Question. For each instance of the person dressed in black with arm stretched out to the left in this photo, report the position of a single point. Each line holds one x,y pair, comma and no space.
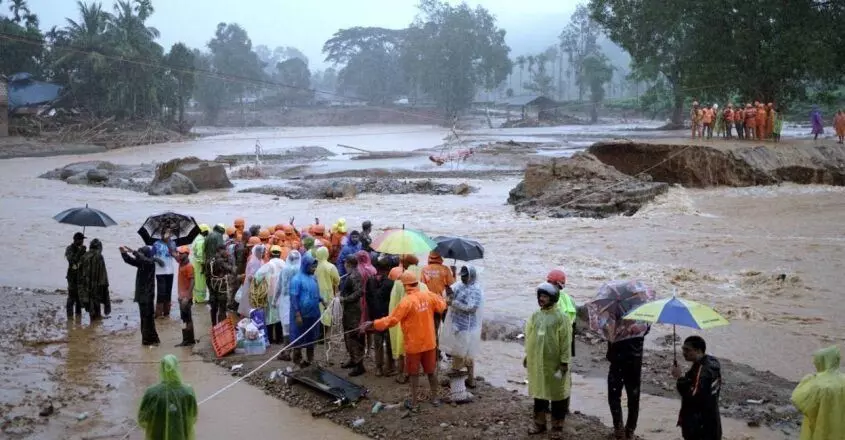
144,260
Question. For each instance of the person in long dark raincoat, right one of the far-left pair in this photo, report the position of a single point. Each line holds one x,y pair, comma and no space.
94,282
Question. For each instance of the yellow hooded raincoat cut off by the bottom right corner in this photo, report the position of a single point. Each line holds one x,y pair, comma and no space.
821,398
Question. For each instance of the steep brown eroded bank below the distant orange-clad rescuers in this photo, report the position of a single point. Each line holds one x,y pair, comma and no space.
704,166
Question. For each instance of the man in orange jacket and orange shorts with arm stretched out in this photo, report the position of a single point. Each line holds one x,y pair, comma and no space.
415,313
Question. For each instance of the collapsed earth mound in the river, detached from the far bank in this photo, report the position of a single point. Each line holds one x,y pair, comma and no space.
581,186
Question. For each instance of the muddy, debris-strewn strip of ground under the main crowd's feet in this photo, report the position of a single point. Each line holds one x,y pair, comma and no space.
496,412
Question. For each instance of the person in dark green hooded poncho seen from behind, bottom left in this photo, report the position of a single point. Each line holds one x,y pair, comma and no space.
168,410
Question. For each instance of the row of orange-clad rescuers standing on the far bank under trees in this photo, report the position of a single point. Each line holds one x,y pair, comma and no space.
757,121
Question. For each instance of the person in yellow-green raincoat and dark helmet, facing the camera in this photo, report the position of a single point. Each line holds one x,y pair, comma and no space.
548,336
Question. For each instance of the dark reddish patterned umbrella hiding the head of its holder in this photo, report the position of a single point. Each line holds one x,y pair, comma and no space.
612,302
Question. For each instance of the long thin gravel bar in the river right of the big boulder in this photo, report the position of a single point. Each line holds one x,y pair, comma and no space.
346,188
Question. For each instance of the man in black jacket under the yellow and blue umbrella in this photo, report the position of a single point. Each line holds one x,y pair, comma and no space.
699,388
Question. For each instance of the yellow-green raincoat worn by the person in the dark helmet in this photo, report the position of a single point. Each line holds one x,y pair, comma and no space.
548,341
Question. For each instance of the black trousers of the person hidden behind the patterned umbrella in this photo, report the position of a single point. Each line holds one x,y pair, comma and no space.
628,375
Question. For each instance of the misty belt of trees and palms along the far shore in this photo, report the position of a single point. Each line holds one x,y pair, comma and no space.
449,56
